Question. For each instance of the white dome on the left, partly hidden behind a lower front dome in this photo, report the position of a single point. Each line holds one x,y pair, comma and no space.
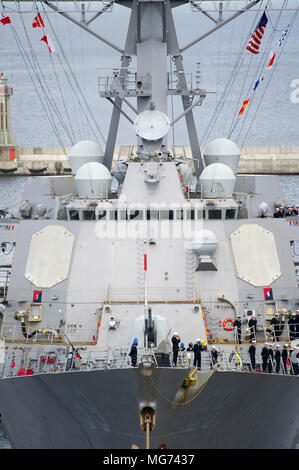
83,152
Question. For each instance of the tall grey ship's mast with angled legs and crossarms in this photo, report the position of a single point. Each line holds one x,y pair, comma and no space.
152,38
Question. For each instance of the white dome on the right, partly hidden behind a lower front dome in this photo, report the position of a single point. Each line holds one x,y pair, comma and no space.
222,151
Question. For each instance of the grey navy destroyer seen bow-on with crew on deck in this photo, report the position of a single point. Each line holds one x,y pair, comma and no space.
184,250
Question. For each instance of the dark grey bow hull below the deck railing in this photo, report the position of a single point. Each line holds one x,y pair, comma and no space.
100,409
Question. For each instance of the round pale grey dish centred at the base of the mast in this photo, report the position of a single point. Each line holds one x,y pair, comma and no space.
151,125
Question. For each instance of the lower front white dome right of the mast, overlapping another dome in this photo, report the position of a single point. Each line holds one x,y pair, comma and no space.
217,180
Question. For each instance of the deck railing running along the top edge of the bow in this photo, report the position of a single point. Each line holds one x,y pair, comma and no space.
82,359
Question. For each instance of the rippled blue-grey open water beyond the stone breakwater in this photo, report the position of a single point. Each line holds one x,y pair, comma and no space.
272,118
